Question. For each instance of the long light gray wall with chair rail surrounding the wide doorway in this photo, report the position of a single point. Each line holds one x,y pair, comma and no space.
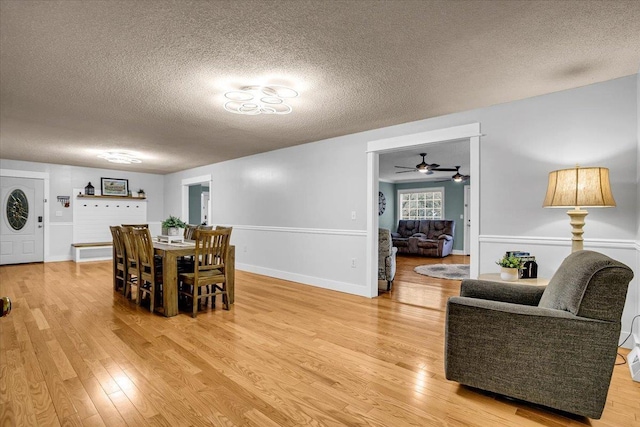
294,221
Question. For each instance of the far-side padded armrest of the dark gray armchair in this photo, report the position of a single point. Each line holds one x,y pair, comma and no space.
497,291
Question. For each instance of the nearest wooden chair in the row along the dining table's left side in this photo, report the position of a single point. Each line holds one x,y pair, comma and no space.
149,269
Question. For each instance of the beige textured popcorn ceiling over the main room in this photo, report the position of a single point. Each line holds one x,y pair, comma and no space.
80,77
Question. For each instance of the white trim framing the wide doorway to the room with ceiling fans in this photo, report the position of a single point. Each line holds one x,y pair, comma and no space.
375,148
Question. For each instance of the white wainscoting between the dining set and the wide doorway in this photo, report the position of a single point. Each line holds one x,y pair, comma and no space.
313,256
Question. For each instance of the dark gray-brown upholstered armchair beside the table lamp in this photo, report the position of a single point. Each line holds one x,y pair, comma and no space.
553,346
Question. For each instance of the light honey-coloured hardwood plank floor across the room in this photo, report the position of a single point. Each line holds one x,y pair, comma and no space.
73,352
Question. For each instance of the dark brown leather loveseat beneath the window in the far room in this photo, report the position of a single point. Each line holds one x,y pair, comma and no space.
428,237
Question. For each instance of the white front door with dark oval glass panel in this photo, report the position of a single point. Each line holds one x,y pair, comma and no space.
22,220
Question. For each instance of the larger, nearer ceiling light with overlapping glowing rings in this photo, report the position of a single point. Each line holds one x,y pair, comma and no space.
254,100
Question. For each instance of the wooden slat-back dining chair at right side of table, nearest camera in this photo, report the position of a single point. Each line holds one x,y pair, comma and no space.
209,278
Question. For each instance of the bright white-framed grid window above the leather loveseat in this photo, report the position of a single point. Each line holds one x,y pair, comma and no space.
424,203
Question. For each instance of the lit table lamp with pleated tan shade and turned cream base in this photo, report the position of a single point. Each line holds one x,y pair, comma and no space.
578,188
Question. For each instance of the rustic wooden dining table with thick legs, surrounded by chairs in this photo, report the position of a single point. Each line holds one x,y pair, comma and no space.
170,252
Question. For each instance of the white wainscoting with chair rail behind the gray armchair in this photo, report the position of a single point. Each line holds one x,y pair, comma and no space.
551,251
